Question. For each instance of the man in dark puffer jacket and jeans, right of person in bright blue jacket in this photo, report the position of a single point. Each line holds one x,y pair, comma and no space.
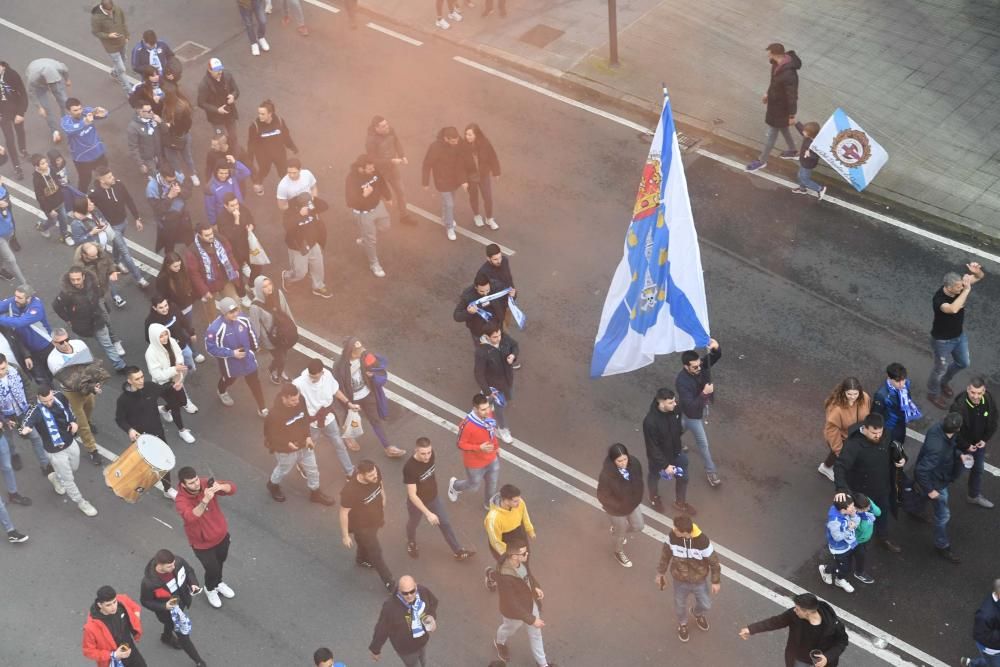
79,304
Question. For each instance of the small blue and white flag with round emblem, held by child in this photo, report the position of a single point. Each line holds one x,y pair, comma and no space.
851,151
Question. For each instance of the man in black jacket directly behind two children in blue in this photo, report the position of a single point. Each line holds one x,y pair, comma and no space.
865,465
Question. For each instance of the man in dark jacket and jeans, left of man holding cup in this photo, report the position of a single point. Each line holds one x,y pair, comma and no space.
939,463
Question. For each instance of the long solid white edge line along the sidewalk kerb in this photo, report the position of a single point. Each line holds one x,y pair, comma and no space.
875,215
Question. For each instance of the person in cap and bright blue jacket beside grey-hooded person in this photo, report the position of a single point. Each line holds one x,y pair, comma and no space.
230,339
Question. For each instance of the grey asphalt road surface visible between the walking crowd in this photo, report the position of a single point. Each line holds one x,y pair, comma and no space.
800,294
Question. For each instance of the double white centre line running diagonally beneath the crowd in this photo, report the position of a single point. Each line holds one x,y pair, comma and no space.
859,640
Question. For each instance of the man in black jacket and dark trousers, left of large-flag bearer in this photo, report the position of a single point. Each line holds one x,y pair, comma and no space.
662,429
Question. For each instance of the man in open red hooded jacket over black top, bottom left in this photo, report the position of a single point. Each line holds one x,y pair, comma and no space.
113,628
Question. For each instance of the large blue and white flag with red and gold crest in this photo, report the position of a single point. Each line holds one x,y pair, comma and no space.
656,302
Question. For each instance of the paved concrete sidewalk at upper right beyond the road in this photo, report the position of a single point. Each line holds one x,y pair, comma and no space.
923,76
